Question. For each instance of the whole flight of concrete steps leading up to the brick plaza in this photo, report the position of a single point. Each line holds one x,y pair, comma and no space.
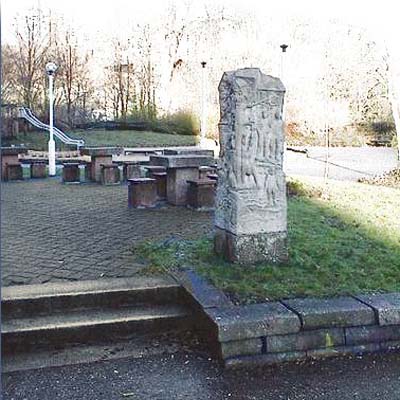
62,316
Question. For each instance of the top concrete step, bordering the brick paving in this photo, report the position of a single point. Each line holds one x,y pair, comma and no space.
35,300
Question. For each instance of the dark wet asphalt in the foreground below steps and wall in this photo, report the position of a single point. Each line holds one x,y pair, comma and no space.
193,375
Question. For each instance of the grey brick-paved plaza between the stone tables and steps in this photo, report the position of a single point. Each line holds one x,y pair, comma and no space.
54,232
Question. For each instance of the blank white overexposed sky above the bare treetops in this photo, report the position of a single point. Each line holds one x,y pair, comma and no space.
93,16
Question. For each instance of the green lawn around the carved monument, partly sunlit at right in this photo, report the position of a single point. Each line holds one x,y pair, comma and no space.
344,242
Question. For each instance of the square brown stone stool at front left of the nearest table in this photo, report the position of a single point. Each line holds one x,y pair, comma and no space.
142,193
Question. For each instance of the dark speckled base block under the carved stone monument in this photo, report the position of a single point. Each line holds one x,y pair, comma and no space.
251,249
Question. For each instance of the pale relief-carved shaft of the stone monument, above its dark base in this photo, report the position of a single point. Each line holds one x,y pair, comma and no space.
252,146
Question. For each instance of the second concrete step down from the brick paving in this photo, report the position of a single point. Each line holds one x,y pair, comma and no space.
91,326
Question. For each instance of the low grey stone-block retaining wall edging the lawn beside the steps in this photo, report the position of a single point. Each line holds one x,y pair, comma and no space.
295,329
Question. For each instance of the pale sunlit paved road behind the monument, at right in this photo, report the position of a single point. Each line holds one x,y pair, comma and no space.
345,163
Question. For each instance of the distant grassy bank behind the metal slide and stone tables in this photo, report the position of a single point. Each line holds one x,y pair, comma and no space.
38,140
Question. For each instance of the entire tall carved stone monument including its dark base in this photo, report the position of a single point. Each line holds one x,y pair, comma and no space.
251,207
